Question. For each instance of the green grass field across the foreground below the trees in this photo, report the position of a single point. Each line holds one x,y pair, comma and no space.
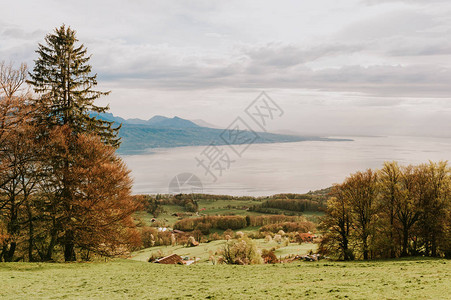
127,279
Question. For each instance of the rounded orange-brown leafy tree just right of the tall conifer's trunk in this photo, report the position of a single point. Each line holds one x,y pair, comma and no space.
102,202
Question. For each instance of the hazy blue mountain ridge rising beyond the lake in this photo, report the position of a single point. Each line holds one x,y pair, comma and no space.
138,136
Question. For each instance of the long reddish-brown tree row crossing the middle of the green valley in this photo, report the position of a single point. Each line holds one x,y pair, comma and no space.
206,223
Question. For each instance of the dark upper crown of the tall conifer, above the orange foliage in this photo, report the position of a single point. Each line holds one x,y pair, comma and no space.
62,77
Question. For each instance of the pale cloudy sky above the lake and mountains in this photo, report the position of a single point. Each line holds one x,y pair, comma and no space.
349,67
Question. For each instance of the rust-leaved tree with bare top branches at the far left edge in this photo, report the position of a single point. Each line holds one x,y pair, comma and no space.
19,151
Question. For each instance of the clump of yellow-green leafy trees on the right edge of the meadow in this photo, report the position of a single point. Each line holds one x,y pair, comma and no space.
396,211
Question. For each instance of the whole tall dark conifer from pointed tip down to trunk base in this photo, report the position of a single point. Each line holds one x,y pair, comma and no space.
63,80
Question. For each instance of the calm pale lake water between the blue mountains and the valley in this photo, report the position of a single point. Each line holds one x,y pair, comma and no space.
266,169
